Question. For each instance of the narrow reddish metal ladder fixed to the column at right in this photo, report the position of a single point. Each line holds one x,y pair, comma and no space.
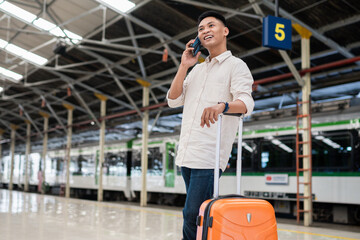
300,146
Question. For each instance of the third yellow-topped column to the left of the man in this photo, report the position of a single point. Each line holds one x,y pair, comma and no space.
70,109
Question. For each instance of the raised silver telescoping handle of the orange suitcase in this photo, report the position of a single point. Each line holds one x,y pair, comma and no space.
238,163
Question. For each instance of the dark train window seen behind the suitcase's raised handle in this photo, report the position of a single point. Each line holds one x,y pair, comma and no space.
248,149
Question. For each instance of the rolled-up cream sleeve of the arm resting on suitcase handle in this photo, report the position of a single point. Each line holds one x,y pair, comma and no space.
241,85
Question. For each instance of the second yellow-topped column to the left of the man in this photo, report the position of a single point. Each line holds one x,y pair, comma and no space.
102,143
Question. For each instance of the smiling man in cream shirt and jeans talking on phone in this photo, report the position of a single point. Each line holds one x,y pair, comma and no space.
223,83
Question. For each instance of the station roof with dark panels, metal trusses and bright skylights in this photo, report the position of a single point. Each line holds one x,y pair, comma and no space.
90,46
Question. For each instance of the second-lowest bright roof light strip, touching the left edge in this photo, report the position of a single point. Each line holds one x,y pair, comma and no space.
22,53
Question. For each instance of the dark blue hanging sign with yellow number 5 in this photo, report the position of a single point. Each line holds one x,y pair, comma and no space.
277,33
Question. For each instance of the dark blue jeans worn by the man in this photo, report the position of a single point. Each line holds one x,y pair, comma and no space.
199,185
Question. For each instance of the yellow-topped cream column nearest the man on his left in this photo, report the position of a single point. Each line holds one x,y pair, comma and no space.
145,136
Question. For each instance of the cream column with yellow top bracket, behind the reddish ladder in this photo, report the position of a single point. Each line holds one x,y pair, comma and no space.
306,130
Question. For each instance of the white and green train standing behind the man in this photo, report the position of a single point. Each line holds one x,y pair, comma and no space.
268,168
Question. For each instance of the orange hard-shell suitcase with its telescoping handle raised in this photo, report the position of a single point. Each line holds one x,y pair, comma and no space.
234,217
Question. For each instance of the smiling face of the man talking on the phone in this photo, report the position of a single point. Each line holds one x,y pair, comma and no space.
212,32
